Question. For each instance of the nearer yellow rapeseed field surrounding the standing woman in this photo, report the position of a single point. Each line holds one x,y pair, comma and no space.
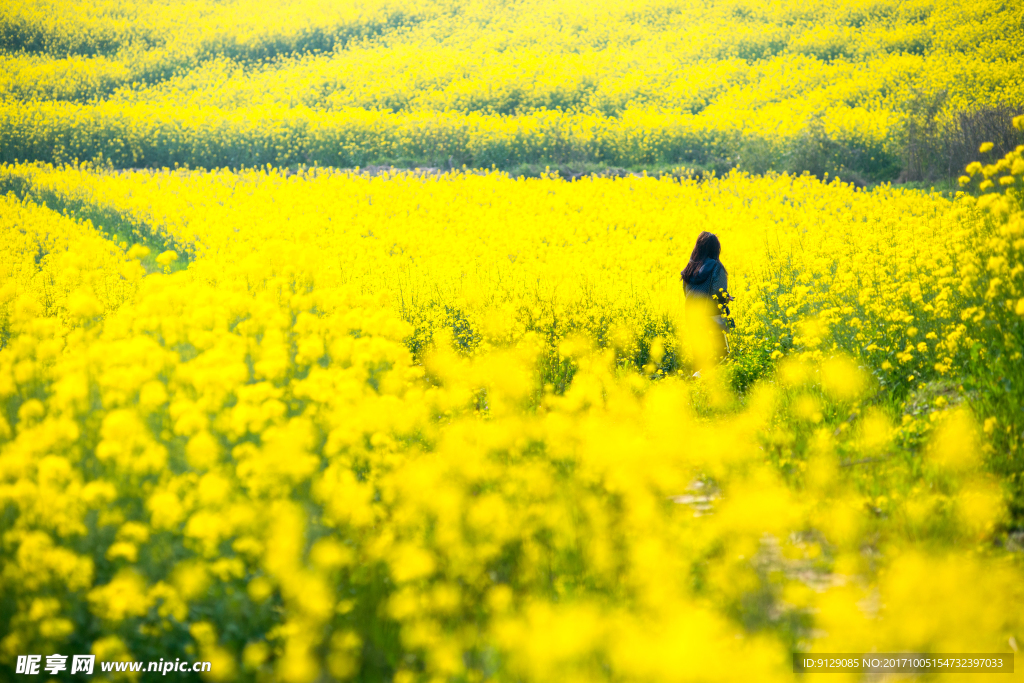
442,429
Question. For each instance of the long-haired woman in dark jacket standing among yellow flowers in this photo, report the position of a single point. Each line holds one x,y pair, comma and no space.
706,283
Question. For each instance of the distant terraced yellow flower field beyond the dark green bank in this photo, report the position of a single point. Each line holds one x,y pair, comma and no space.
870,91
